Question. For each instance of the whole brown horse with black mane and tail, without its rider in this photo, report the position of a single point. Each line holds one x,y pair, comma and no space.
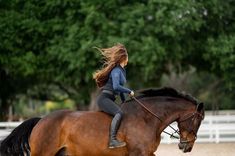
86,133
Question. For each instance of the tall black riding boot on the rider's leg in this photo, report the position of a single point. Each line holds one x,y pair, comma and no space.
113,142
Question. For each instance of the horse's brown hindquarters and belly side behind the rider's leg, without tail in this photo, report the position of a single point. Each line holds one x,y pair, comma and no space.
80,132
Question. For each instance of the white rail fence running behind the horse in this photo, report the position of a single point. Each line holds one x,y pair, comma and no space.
214,129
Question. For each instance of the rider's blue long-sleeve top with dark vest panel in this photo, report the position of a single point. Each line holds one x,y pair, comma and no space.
116,81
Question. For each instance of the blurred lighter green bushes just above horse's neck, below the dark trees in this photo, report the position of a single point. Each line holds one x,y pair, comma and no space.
207,87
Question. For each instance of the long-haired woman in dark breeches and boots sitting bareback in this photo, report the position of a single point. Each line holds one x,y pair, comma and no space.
111,79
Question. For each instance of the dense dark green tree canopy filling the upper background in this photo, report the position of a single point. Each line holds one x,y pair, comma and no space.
48,43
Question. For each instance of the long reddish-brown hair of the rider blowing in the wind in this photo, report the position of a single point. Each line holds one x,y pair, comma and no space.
112,57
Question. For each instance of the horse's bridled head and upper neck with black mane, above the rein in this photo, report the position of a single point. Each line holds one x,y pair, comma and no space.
170,105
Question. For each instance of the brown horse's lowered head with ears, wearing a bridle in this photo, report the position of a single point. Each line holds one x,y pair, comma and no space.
189,124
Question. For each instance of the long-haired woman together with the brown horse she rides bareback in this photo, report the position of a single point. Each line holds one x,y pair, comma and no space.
83,133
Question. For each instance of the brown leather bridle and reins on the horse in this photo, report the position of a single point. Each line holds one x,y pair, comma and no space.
193,115
